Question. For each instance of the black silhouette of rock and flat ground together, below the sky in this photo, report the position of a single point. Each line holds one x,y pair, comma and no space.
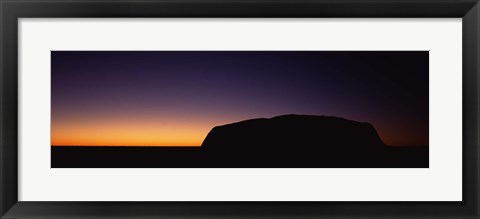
288,141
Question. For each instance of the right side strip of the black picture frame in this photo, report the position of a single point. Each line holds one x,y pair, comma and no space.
470,81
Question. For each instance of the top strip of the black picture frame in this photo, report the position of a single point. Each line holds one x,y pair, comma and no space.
240,8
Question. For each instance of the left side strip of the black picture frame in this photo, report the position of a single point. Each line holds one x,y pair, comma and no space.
8,111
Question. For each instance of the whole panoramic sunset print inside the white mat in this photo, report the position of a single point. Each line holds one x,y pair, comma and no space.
239,109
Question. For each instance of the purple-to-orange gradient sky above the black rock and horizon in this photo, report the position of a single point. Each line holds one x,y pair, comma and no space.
174,98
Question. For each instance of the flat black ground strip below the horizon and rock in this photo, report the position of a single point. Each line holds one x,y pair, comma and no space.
195,157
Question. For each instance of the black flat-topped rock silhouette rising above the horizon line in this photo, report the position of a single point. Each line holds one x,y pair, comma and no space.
298,131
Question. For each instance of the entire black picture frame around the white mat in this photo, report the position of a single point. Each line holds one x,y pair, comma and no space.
11,10
